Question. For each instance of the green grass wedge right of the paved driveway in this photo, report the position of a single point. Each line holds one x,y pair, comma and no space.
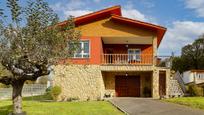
194,102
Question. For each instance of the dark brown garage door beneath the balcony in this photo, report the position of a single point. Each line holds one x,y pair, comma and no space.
127,86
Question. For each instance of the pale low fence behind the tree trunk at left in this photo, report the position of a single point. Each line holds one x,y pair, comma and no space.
28,90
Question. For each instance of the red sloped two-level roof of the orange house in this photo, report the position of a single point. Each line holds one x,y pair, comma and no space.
115,14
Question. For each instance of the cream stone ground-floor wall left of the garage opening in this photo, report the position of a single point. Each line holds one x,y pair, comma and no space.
83,82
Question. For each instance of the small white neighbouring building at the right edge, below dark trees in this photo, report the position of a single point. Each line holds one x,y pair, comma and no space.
194,77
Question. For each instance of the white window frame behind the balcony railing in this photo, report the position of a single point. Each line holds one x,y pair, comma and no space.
136,55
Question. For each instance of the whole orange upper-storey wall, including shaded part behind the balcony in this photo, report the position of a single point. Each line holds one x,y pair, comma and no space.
97,48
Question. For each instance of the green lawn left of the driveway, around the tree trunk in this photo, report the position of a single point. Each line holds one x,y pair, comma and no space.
61,108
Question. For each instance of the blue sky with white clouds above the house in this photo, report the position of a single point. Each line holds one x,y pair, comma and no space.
184,19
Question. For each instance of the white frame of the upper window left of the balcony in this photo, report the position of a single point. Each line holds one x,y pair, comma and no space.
82,49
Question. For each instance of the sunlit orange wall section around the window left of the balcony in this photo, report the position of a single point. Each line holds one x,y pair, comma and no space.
96,50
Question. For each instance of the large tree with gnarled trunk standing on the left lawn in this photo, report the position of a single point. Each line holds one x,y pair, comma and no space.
31,42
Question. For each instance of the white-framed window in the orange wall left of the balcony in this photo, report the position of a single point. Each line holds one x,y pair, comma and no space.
83,51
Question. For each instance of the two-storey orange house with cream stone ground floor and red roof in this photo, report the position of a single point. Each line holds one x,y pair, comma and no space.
118,58
